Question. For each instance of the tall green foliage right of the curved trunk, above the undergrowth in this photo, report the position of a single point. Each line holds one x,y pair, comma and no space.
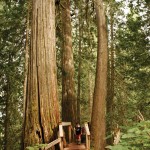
132,63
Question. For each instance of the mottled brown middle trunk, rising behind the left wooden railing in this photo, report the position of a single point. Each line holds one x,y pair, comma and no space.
68,86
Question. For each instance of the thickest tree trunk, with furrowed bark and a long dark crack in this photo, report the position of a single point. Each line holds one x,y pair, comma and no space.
41,105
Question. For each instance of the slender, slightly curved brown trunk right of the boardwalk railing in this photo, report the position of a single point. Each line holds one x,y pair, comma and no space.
99,108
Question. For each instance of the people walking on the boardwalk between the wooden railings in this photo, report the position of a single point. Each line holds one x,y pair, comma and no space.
79,134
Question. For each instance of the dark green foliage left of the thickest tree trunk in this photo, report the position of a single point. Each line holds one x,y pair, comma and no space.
11,74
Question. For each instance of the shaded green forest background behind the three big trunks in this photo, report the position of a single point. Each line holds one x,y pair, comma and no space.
128,90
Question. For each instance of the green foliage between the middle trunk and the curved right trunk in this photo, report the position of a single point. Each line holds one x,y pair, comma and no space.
85,32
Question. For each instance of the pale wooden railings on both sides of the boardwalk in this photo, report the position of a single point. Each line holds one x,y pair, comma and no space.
61,137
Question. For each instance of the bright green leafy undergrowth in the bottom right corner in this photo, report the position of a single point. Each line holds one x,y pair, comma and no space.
136,137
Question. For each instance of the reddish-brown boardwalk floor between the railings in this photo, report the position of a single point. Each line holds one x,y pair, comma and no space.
74,146
